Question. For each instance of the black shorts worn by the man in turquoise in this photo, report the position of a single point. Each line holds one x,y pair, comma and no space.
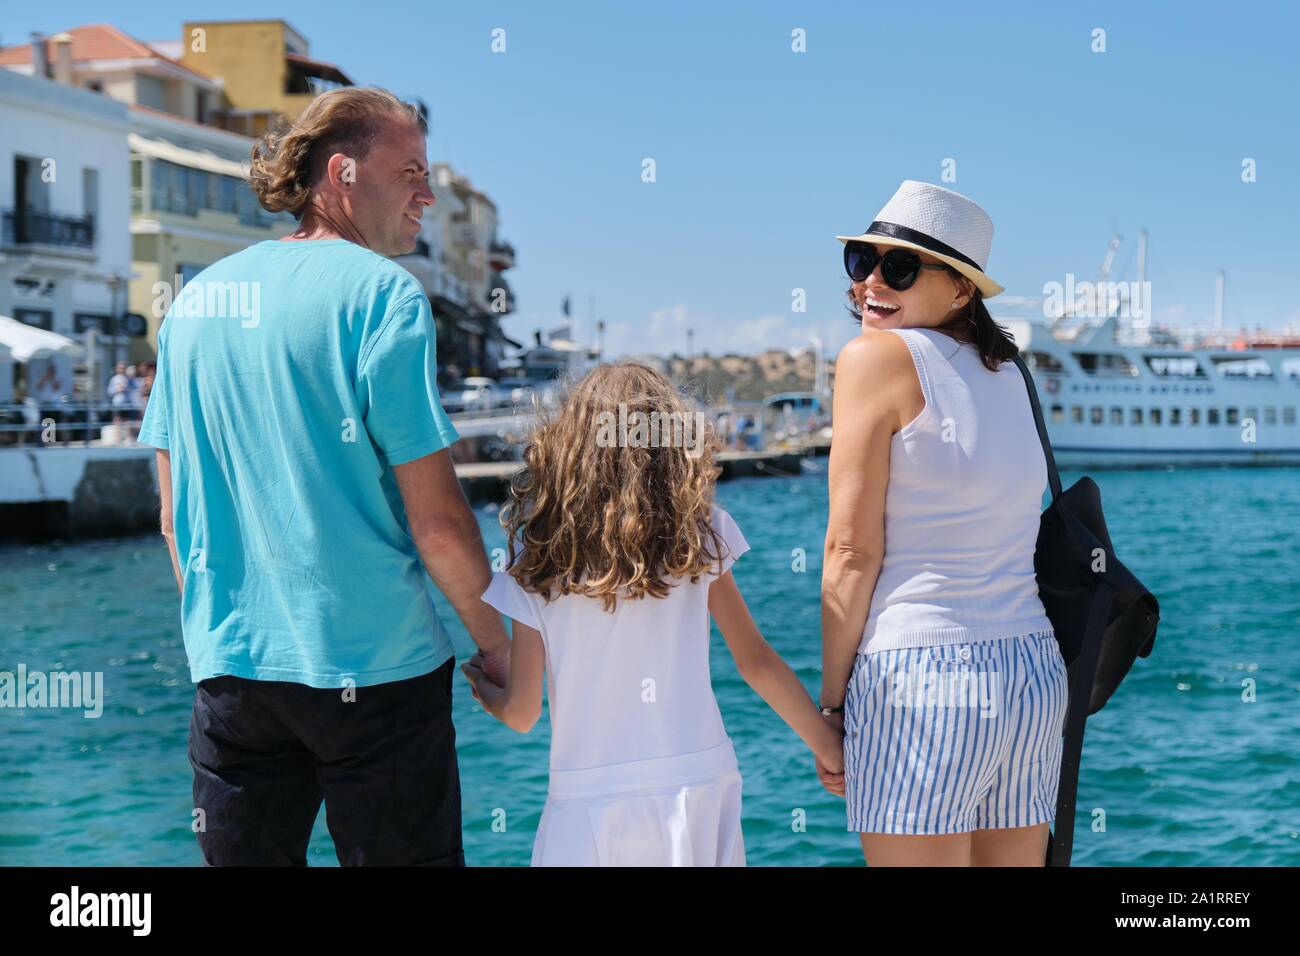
266,754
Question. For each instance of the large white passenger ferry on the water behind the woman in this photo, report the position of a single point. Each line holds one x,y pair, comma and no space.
1124,397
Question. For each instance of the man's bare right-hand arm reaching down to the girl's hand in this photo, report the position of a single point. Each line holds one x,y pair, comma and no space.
452,548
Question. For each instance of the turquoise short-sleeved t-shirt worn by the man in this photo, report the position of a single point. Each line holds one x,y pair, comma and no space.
292,378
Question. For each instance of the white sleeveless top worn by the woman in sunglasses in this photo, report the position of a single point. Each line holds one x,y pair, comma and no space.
967,482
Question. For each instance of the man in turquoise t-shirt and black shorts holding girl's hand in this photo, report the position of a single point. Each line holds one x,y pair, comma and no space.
306,488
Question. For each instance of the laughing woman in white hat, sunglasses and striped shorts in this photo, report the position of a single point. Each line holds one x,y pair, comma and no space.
939,661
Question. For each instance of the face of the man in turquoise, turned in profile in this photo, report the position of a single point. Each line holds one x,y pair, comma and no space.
392,191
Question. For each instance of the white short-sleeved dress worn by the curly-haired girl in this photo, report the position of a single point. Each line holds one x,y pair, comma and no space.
643,772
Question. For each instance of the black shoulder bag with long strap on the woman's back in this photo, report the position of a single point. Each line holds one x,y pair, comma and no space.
1103,616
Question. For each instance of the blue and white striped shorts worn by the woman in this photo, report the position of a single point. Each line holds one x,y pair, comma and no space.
955,738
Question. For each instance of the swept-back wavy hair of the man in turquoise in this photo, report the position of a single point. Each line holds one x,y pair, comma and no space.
288,162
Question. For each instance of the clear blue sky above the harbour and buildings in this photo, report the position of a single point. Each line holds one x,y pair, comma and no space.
764,155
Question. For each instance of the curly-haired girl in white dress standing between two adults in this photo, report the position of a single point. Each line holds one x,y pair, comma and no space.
625,557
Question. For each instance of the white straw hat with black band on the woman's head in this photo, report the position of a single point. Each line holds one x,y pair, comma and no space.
937,220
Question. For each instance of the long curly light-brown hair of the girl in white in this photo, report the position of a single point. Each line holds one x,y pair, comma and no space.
613,521
